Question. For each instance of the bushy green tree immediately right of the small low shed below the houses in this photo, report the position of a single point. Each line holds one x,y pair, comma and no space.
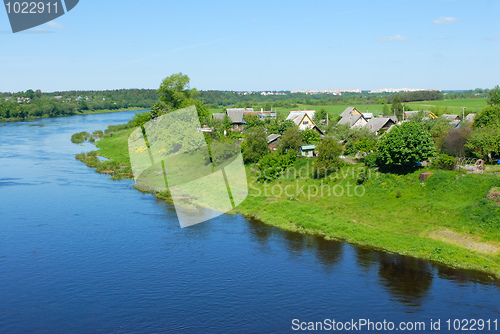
328,159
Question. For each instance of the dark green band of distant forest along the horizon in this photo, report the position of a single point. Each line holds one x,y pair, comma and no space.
35,104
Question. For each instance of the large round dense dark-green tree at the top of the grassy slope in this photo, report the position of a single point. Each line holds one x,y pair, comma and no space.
405,145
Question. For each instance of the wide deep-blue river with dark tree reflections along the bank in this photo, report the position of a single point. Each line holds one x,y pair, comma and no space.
80,253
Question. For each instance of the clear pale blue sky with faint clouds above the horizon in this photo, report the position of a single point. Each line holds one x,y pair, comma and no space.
258,45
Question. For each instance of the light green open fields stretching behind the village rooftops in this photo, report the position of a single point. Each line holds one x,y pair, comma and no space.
442,107
